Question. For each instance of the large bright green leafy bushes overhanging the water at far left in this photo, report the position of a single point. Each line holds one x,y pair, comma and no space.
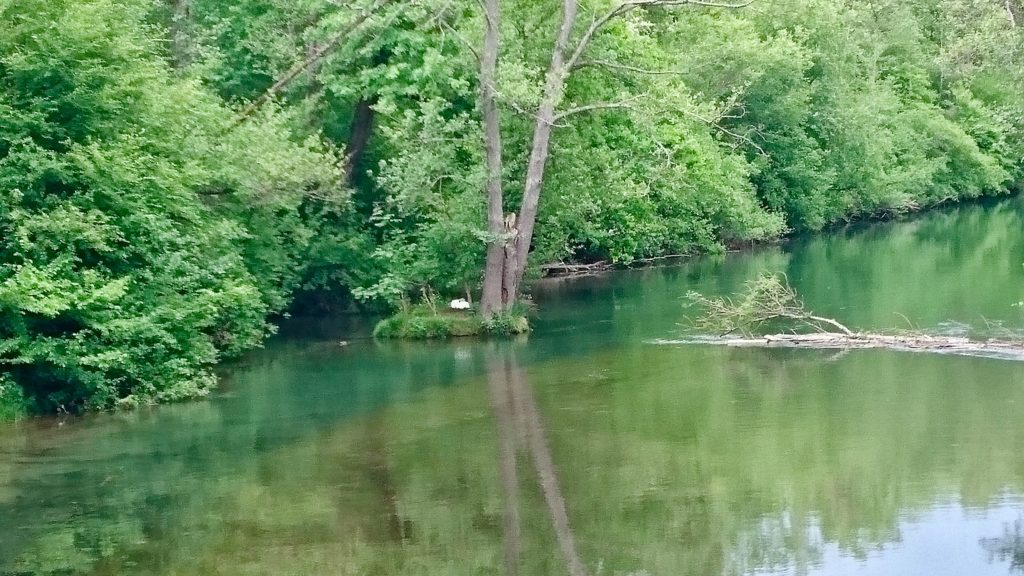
144,238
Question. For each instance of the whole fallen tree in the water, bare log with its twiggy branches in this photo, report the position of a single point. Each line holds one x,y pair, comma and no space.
771,304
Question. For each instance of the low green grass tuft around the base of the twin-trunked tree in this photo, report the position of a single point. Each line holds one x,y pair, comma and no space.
424,322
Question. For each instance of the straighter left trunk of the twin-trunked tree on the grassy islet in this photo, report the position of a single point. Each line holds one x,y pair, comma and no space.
495,298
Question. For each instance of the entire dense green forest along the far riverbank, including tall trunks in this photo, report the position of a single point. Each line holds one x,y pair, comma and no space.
176,174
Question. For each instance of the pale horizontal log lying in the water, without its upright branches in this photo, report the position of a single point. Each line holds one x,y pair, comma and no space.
860,341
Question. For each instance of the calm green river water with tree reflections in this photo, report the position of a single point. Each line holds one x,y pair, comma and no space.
594,446
